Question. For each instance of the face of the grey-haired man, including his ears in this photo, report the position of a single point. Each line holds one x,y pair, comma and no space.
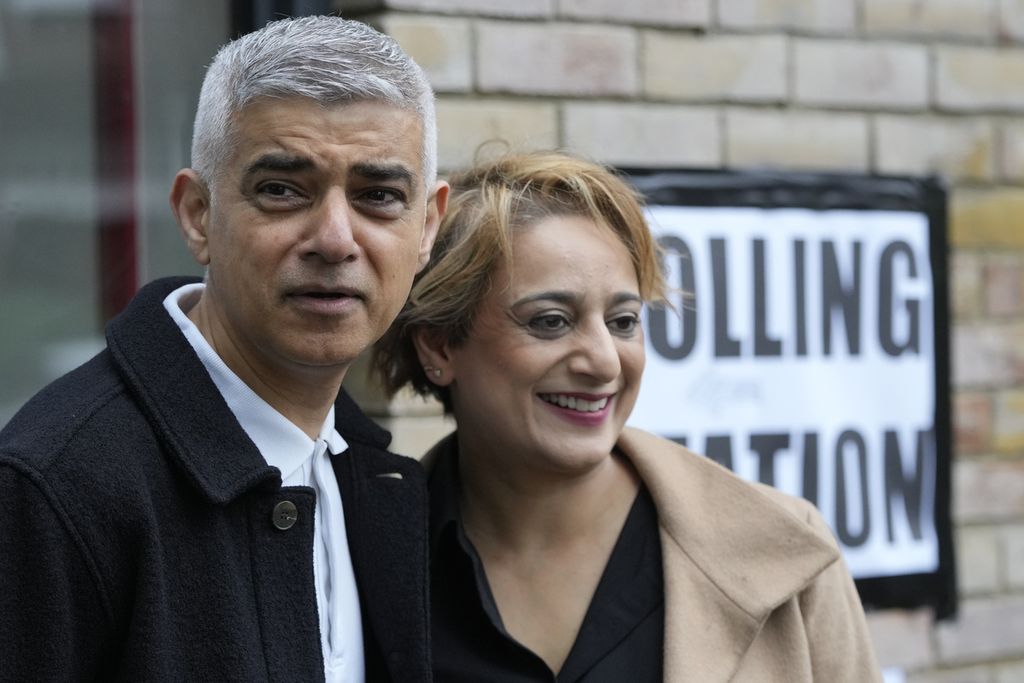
312,235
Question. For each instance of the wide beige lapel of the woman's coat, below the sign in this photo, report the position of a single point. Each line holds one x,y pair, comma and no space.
731,553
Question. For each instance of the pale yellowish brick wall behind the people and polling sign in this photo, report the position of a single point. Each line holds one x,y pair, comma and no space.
877,87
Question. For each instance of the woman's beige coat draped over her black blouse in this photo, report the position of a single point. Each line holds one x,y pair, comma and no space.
755,588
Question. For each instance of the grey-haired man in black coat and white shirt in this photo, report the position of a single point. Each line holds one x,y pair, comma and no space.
202,501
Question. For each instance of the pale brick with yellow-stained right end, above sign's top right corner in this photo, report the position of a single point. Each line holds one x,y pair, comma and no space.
959,149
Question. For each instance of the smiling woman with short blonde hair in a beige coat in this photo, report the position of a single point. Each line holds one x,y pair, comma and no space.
567,546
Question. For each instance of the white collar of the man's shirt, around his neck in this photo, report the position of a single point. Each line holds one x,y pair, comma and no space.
281,443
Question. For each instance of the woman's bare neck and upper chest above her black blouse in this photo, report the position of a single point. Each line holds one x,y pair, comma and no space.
545,541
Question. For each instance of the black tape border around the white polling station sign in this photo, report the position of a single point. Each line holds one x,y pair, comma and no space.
870,193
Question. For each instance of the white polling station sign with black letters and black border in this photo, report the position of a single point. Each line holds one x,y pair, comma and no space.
808,351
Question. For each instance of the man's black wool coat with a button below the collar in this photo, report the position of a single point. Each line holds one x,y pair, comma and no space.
138,540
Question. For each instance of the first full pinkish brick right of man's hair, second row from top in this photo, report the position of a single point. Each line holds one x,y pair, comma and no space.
557,59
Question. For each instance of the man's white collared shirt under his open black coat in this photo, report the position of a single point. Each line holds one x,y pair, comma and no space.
304,462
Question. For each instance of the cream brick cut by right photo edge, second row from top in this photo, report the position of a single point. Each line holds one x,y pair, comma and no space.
979,79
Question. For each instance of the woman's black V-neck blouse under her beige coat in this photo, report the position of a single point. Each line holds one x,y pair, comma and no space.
622,634
